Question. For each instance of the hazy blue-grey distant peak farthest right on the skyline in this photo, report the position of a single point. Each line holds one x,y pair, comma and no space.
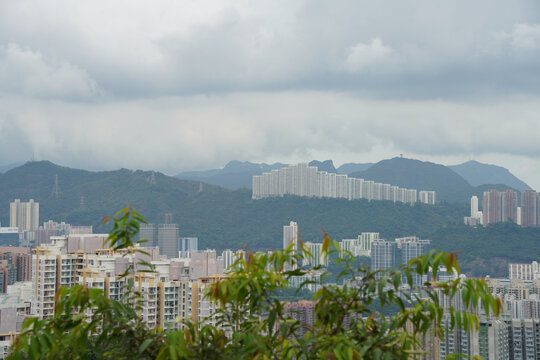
477,173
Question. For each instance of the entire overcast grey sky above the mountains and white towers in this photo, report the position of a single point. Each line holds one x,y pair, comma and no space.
174,85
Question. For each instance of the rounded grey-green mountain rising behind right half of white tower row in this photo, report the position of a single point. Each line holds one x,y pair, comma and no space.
420,175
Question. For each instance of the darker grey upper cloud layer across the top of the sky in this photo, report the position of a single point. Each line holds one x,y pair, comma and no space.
173,47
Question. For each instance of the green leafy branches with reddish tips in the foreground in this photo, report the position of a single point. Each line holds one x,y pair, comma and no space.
251,320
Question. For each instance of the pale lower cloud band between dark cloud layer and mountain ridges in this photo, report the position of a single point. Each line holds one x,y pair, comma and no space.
181,133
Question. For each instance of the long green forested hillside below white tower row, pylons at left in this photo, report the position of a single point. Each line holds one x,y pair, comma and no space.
220,218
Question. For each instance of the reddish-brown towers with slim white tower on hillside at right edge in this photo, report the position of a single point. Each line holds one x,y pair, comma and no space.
502,206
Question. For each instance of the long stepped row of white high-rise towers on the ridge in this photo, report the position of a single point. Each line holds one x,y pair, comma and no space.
304,180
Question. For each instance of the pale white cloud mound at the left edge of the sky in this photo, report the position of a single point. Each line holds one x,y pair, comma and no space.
31,73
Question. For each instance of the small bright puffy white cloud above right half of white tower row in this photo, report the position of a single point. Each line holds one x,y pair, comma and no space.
363,55
